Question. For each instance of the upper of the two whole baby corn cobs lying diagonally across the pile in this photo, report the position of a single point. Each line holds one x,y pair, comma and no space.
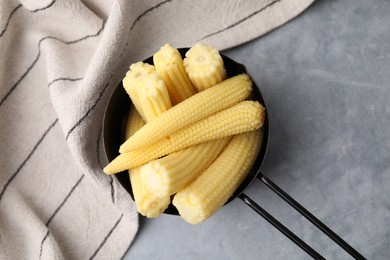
194,108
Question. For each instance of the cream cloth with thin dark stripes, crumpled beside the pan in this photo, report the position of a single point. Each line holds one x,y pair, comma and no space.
59,60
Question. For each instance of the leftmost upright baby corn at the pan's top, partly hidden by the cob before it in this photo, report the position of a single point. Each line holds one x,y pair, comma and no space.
130,82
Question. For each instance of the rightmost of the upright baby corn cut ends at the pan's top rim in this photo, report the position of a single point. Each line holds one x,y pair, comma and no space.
204,66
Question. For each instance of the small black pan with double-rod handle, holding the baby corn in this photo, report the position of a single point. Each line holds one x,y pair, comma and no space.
114,125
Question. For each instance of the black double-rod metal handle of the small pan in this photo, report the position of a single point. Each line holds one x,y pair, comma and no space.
304,212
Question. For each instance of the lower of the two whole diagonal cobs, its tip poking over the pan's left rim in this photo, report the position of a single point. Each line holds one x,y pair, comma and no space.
242,117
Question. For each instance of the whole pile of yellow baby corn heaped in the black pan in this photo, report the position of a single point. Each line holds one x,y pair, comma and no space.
192,134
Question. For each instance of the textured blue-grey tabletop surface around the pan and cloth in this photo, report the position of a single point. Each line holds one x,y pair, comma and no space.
325,76
